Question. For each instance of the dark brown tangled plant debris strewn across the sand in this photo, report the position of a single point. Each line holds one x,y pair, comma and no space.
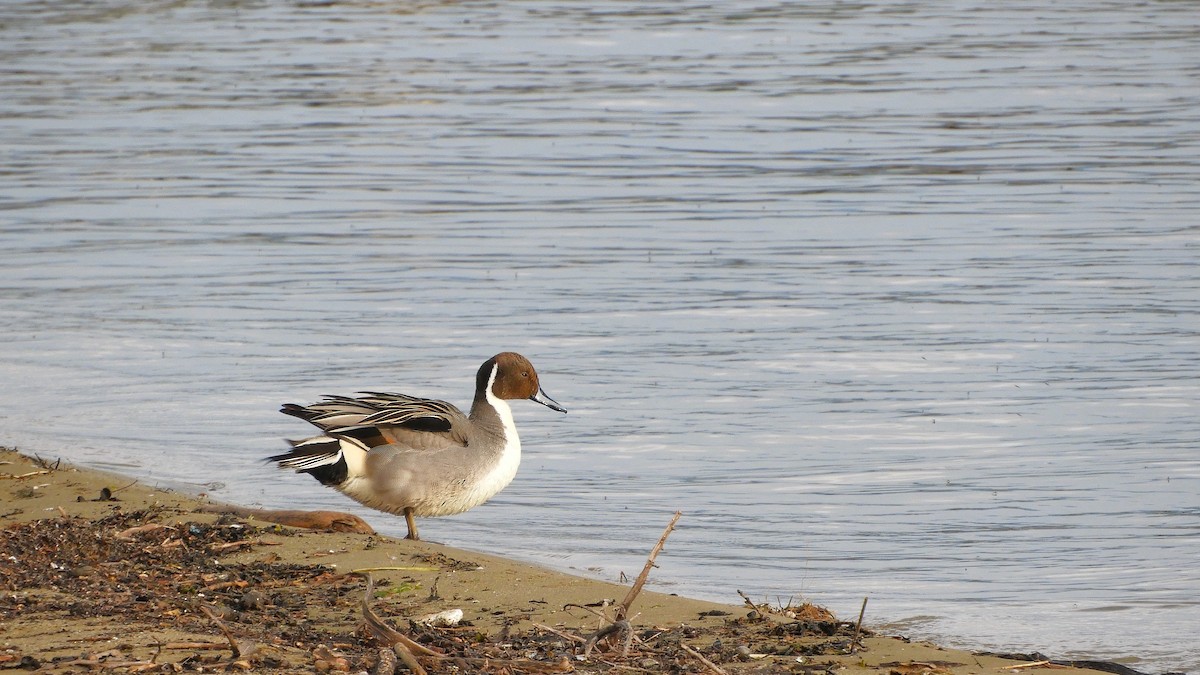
134,572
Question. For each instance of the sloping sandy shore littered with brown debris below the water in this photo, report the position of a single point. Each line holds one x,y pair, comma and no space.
100,572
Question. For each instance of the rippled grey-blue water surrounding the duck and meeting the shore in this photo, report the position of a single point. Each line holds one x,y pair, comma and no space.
891,300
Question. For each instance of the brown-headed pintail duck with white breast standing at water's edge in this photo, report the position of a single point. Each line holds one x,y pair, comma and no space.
419,457
